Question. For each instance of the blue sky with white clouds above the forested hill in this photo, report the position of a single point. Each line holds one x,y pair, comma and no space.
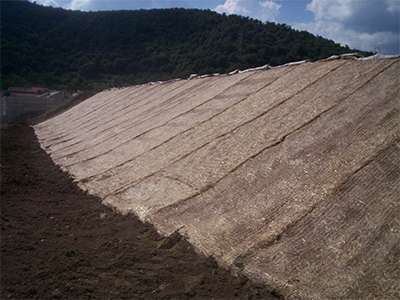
370,25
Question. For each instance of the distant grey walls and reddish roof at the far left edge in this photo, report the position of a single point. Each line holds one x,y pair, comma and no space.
17,102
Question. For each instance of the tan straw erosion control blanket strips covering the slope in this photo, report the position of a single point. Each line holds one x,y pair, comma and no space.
288,175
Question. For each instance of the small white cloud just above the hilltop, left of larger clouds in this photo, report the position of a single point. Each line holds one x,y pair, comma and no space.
261,10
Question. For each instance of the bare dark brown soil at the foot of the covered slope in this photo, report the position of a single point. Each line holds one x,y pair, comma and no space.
58,242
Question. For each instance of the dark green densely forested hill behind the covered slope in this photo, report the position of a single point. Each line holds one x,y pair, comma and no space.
73,50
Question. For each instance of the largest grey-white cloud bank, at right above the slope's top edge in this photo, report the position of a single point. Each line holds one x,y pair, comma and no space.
364,25
